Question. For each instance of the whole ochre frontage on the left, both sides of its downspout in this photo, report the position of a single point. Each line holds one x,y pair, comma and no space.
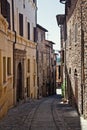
18,66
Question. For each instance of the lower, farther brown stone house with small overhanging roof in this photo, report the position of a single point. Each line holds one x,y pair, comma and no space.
51,68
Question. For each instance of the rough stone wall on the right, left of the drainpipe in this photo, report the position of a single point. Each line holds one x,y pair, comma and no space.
73,55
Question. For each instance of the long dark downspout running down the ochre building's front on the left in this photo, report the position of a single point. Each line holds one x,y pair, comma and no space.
13,50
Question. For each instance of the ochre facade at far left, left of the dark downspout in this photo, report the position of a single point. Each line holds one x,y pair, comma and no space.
6,63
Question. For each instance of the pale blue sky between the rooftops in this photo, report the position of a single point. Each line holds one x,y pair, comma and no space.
46,17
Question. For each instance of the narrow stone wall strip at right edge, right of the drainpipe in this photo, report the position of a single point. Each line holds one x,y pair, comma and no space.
84,28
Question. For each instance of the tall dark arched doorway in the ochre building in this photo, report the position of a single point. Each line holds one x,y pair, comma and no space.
19,82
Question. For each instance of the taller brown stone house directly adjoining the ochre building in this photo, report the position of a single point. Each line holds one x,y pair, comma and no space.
41,61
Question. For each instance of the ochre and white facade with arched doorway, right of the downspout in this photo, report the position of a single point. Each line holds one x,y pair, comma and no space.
25,66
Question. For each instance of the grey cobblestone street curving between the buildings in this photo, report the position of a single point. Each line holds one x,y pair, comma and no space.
43,114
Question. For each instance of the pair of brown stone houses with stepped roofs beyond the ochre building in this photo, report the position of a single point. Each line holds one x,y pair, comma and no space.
45,63
